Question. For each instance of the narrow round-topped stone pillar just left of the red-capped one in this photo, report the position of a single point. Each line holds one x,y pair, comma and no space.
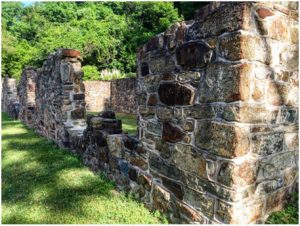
26,93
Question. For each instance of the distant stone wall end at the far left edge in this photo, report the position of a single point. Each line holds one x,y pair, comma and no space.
9,98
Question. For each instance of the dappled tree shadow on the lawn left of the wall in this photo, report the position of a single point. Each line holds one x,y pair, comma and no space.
40,168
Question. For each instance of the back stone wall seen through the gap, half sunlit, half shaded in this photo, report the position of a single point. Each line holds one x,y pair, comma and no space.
118,95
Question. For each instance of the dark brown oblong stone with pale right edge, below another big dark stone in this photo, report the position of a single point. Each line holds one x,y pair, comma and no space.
176,94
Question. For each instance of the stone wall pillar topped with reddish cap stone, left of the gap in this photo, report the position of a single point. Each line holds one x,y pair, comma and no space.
60,99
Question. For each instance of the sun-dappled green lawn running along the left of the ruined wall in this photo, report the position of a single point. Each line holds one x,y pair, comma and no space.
44,184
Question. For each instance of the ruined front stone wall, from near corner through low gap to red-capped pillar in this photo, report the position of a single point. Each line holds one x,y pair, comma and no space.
218,115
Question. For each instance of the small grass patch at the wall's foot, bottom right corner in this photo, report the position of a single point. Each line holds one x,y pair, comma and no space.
289,215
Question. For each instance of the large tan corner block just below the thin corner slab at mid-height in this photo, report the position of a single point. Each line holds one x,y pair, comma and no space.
226,140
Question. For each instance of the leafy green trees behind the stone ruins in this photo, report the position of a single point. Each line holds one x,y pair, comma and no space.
107,33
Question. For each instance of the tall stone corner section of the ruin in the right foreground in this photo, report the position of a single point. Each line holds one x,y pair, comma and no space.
218,112
